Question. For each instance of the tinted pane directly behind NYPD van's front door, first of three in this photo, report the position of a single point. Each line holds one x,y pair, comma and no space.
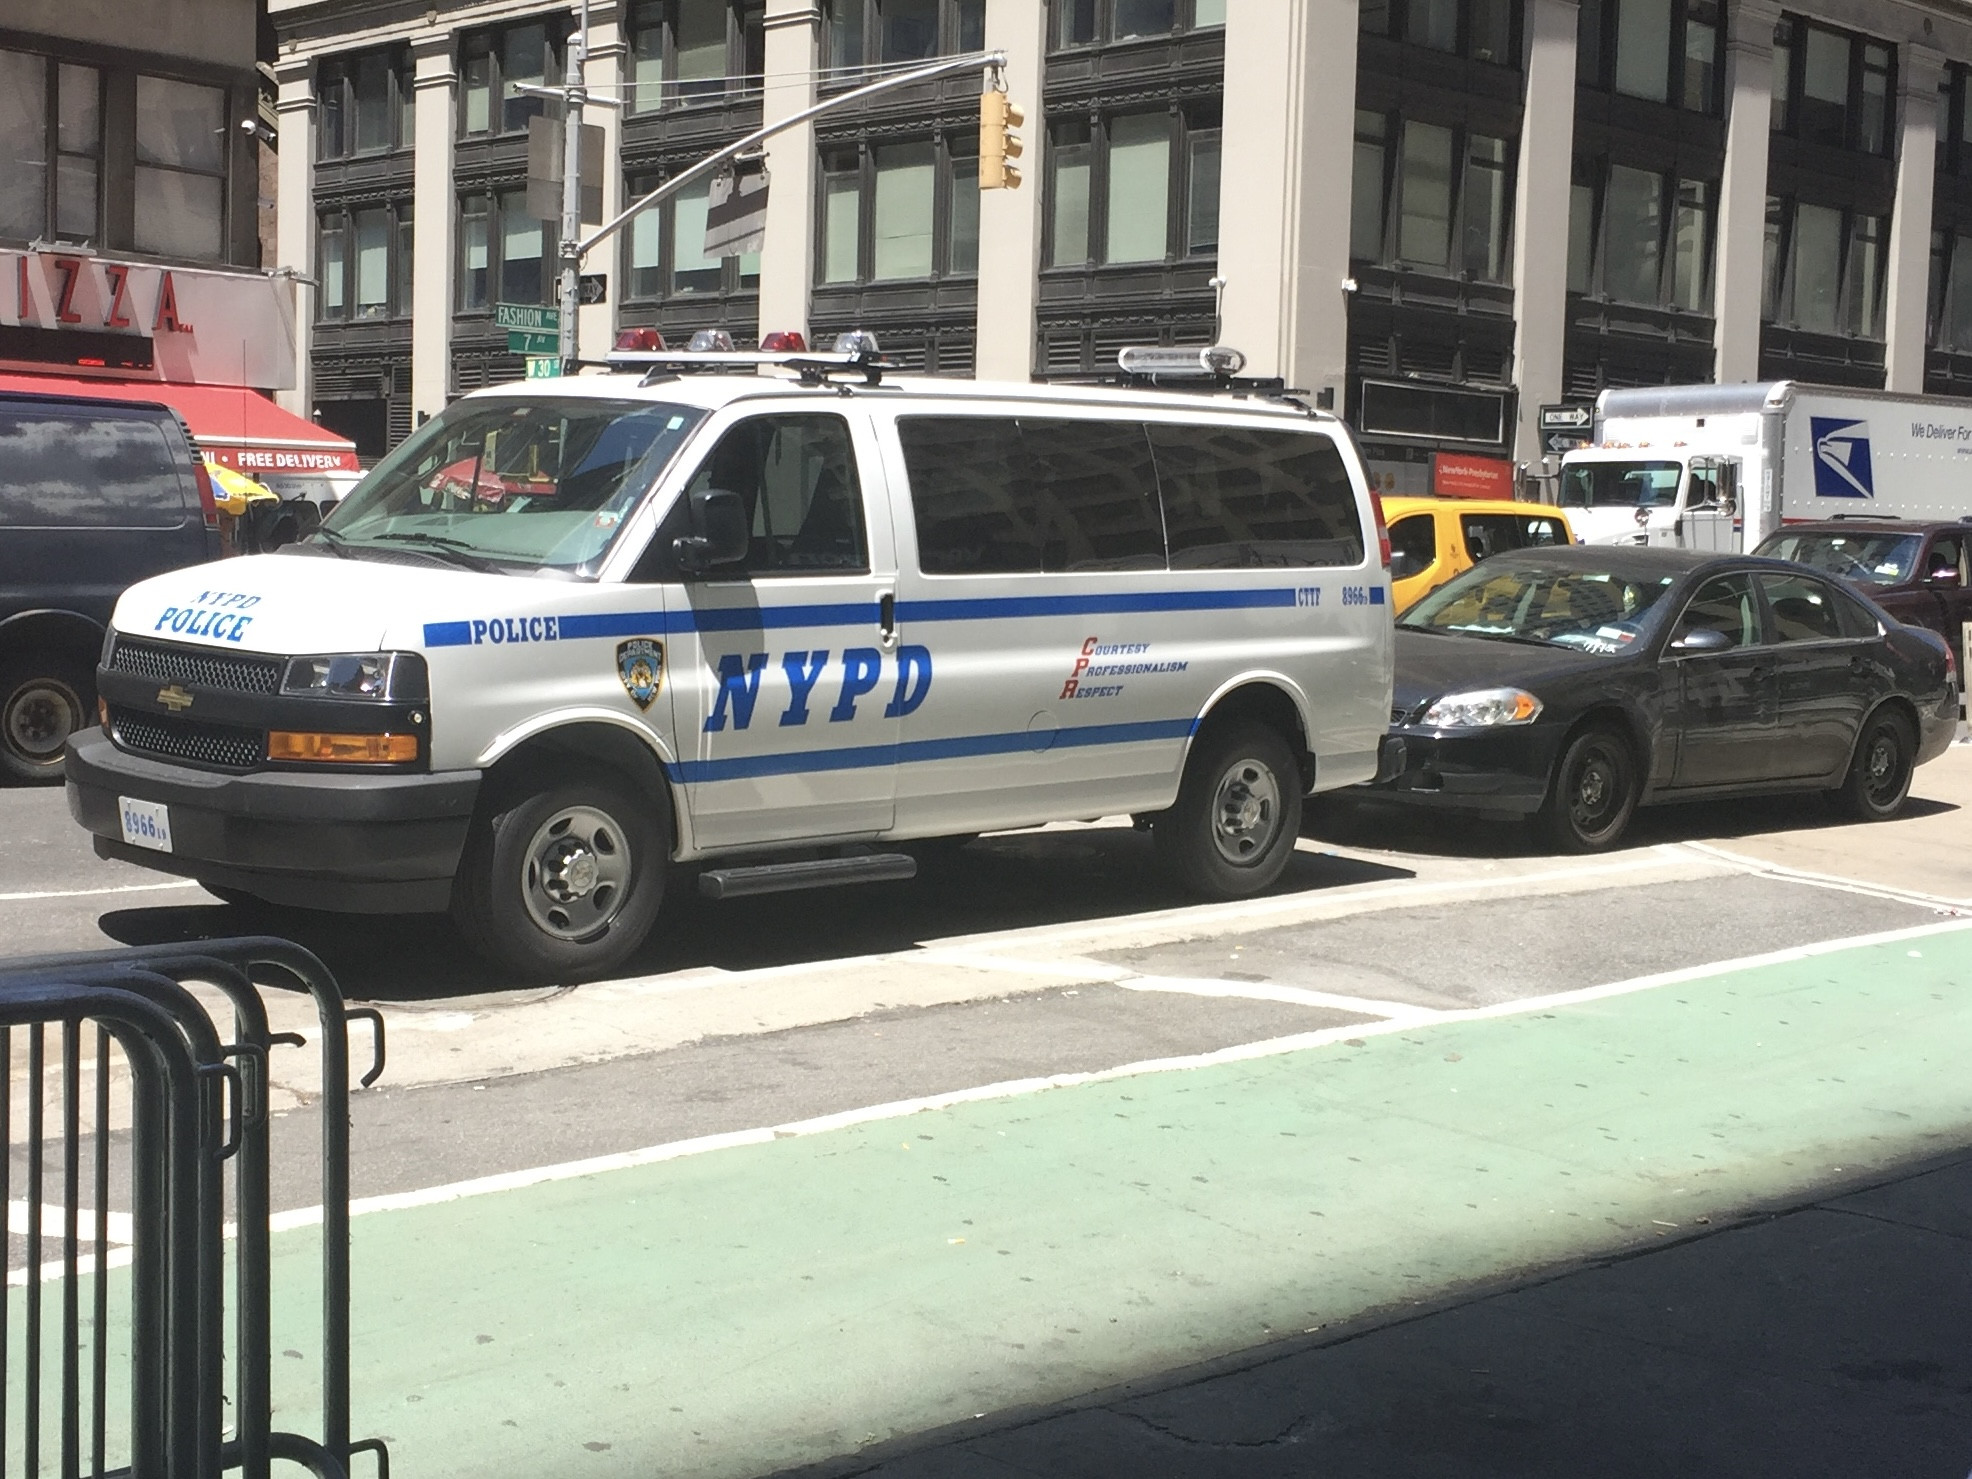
971,496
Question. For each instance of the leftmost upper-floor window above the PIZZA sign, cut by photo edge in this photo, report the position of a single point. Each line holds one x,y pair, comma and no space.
52,139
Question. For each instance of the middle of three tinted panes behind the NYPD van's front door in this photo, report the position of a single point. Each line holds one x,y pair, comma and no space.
1097,492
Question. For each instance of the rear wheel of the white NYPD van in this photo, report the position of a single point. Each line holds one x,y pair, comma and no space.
1237,813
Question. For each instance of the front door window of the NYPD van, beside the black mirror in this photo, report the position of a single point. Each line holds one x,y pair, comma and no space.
798,480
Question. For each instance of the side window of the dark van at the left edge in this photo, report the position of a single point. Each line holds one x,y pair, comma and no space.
62,472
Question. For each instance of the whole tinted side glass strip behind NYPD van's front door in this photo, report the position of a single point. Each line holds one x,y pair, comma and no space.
1024,496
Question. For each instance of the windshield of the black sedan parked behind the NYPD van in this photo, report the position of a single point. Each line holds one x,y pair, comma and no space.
1586,610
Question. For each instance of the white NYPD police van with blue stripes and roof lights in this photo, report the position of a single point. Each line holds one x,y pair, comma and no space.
764,622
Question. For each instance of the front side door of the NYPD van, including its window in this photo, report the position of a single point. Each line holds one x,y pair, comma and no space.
788,662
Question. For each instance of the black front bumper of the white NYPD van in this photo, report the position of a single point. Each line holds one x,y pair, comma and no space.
346,843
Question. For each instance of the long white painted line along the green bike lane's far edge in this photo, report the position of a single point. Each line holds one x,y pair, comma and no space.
1021,1088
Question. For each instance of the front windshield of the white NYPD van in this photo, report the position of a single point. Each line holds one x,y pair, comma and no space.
541,486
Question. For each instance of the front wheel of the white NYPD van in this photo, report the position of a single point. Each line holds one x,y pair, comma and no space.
563,882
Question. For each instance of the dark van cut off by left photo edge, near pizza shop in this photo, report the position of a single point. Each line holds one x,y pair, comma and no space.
94,496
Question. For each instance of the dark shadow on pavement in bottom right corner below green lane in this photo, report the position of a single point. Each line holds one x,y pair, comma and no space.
1821,1340
